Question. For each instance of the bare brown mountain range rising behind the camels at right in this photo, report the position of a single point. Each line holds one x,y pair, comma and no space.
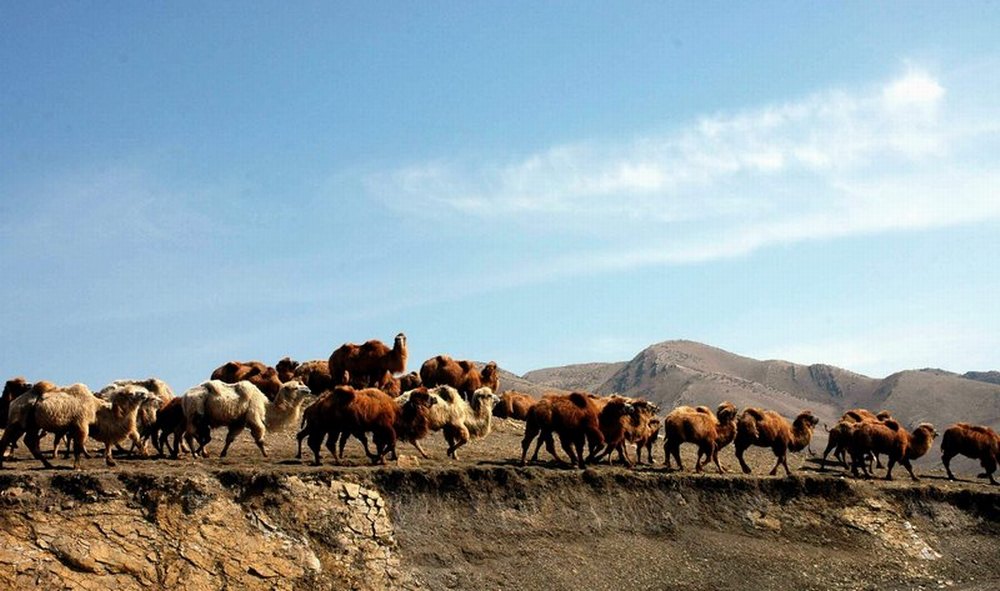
685,372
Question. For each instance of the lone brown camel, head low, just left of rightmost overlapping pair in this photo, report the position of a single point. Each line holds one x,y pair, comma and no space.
766,428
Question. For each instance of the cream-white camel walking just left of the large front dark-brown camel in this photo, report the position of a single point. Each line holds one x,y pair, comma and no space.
237,406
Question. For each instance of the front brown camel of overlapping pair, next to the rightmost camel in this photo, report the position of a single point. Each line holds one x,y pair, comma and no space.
890,438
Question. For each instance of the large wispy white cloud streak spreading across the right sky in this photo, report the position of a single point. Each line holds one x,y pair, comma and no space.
887,157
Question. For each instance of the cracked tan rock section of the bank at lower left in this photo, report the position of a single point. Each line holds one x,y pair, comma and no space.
234,530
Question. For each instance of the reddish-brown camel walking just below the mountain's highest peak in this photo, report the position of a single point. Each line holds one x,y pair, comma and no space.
709,431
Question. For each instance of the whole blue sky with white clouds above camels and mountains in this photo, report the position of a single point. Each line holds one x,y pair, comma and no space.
535,183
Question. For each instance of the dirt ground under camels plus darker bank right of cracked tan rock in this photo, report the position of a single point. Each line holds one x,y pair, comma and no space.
485,522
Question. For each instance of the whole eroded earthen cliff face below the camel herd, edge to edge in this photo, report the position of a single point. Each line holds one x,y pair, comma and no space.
490,527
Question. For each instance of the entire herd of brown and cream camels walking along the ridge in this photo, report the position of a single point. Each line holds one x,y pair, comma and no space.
364,390
